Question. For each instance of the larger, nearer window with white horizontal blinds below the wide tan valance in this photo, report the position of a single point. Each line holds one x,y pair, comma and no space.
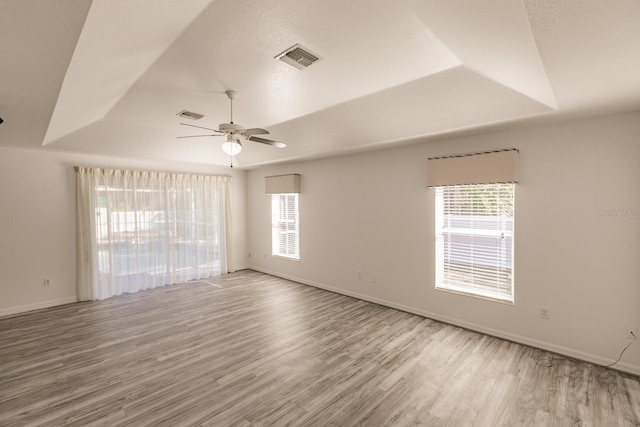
474,240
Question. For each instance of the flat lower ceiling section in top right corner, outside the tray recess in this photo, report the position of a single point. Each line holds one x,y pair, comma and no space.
591,51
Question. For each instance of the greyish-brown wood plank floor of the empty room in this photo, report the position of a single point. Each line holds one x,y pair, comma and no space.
251,349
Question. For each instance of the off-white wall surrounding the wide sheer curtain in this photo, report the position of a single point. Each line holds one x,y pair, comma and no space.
38,222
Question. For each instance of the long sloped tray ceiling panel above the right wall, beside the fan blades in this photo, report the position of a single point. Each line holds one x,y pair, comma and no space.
434,105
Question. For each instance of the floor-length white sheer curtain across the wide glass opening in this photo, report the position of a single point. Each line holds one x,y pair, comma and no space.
140,230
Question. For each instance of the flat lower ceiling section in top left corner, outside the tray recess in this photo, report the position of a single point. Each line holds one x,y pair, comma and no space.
37,41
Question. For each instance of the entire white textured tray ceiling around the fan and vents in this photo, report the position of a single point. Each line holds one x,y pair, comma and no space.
109,76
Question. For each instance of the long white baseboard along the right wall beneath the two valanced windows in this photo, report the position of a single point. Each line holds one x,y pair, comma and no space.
576,354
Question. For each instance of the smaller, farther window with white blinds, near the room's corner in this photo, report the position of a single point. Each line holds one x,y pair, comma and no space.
284,225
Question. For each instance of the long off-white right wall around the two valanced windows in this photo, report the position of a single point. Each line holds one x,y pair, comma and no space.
373,213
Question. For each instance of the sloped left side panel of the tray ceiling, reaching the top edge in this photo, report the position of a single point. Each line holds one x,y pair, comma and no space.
119,41
